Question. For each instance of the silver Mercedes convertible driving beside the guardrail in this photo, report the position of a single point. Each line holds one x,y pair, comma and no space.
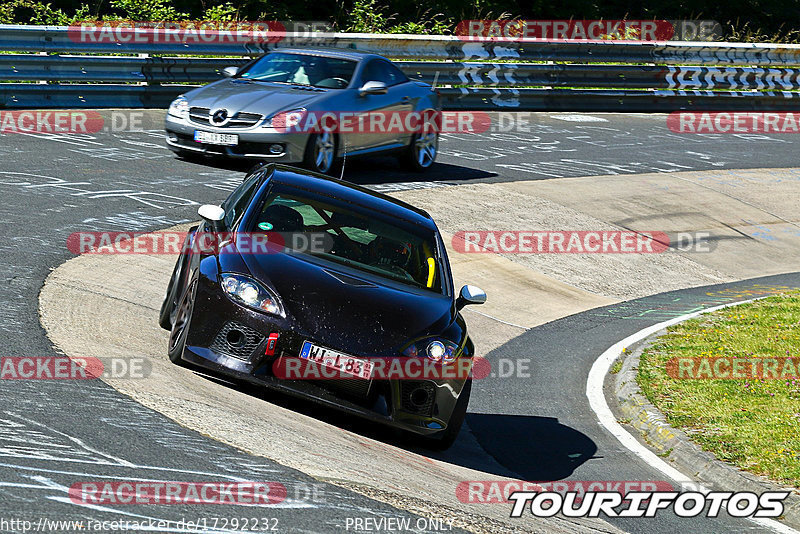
310,107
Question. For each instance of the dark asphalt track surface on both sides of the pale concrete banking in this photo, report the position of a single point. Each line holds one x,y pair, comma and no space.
56,432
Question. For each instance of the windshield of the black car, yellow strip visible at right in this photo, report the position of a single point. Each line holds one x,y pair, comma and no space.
313,226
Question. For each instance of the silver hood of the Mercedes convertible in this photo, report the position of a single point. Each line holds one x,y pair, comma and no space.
252,97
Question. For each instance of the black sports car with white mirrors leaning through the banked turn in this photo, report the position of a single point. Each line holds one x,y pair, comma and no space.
296,267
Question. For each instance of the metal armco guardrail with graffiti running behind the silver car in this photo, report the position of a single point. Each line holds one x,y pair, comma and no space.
531,75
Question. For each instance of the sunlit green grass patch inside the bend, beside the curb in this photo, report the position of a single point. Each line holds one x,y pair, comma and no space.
752,424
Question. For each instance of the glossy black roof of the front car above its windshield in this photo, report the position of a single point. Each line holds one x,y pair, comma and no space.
311,181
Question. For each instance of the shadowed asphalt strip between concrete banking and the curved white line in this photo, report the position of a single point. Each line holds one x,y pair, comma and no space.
508,411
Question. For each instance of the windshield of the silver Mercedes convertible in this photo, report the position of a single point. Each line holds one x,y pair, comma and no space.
301,69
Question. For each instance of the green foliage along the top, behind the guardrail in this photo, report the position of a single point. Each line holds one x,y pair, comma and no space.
769,20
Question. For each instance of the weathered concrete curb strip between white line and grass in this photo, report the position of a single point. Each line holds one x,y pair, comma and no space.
676,447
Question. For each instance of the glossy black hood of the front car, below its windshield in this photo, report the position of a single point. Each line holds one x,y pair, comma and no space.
350,313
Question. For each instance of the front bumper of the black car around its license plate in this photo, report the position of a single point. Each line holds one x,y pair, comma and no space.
230,339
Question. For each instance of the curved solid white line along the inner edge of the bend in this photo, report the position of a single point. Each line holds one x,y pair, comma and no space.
597,400
